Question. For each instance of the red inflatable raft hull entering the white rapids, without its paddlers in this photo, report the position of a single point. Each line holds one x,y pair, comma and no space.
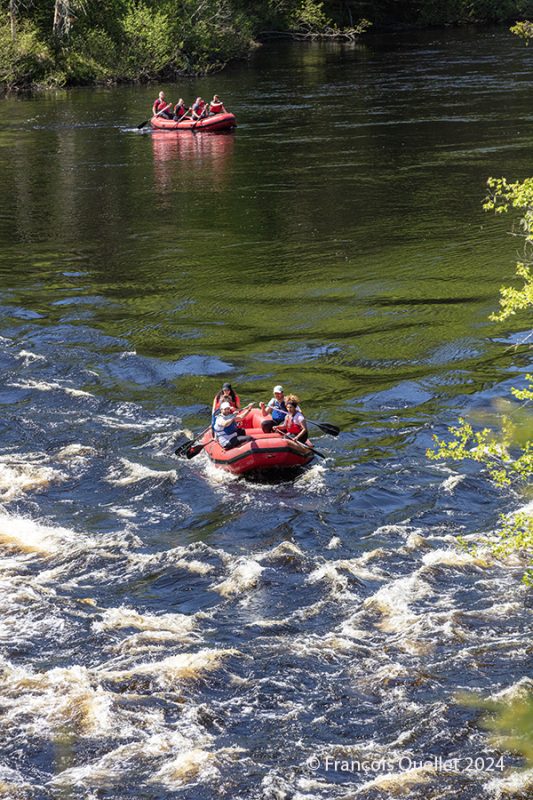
267,452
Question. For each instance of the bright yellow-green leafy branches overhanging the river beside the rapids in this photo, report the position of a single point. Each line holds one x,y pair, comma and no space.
506,453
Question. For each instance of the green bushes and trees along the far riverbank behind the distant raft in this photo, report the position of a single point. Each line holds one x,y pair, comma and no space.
47,43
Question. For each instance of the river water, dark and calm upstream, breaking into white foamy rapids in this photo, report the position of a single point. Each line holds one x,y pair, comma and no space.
167,629
